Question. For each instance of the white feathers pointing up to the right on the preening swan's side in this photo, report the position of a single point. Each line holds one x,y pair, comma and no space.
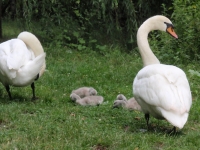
32,68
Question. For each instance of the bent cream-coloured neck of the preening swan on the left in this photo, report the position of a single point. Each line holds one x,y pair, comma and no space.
31,42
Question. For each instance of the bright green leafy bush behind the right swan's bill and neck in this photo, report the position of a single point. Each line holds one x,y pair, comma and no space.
186,18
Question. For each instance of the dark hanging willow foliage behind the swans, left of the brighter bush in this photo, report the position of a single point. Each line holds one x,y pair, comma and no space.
79,24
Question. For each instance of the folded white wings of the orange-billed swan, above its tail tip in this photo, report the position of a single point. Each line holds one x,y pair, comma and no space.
165,87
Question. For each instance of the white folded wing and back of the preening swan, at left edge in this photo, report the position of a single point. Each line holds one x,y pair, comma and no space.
13,55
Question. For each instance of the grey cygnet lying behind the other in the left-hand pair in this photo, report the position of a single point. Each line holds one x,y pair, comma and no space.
85,91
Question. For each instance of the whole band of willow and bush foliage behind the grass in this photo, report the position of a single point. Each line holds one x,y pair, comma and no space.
94,24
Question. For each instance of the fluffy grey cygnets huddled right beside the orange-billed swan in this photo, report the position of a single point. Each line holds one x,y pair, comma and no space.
130,104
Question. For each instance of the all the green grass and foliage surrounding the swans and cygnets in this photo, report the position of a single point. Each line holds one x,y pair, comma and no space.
93,43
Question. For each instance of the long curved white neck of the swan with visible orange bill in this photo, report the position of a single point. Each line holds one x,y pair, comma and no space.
146,53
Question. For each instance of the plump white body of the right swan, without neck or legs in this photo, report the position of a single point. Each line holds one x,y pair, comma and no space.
164,92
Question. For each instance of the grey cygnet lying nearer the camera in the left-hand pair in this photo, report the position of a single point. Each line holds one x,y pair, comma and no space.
88,100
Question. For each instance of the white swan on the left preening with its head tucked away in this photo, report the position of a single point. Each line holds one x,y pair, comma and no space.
22,61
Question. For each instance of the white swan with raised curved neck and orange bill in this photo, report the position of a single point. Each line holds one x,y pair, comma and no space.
161,90
